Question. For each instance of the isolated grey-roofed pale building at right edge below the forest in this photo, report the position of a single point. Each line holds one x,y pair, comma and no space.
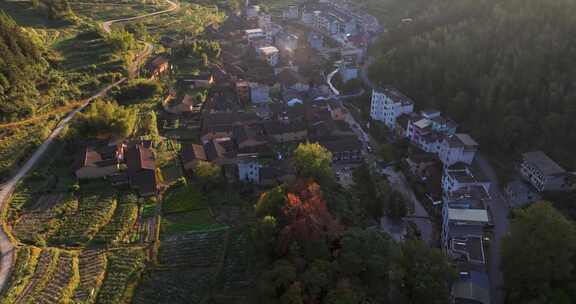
544,173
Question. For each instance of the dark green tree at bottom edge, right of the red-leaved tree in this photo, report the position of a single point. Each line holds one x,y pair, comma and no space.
426,274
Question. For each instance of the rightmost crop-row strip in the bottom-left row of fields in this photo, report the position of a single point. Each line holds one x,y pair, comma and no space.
124,265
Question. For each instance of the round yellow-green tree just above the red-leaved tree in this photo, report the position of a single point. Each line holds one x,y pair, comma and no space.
313,161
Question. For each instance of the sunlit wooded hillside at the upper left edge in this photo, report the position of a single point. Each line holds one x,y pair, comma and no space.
21,62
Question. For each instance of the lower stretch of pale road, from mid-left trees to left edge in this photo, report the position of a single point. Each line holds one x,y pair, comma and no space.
6,246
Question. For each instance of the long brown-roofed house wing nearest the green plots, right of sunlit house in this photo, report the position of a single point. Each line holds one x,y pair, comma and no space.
142,169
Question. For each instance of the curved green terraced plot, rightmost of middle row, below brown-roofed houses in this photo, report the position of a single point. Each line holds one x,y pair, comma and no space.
122,221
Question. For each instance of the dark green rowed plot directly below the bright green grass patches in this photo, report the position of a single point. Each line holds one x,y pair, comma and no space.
197,249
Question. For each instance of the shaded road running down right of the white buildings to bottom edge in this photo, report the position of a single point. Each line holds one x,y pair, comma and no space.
499,210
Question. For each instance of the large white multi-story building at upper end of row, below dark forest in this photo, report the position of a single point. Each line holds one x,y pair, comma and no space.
387,104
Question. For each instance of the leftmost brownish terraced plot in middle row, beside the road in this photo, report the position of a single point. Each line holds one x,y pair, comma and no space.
45,217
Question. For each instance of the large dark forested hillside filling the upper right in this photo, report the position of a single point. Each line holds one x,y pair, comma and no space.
504,69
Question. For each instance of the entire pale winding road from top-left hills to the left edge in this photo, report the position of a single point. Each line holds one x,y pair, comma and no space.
6,245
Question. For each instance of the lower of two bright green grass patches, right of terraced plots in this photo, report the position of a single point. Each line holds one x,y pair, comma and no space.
189,221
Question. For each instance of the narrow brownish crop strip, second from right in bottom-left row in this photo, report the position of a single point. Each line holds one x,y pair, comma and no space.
92,266
